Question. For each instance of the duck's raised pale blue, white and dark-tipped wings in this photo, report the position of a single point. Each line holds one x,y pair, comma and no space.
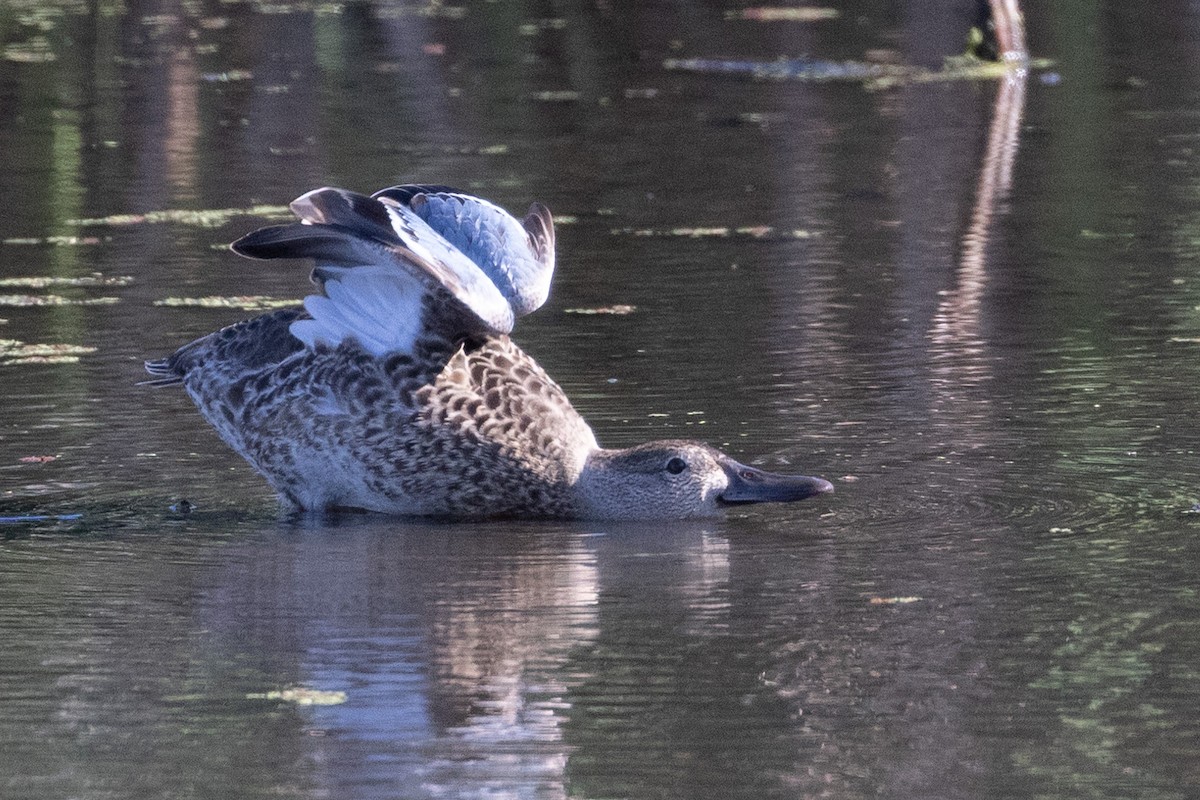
389,276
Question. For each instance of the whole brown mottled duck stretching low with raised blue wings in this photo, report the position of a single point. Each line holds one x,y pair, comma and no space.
398,389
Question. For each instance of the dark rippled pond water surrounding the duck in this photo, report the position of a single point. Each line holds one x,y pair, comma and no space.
974,305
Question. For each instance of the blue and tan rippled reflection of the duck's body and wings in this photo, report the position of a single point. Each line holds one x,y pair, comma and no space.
451,646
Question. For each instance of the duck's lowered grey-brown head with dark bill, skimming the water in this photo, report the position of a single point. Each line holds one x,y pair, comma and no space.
671,479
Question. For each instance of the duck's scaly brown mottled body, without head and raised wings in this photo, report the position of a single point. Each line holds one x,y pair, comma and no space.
471,429
